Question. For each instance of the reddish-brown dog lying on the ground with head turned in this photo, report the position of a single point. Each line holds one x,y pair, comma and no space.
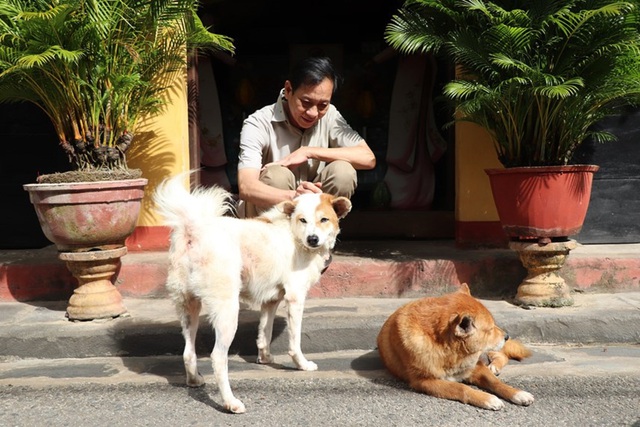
435,344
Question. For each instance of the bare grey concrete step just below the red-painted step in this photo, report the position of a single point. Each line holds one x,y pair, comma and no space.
40,329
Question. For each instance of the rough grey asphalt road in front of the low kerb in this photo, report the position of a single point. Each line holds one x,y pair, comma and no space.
300,401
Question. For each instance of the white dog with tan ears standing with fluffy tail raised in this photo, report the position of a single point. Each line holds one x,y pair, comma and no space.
217,260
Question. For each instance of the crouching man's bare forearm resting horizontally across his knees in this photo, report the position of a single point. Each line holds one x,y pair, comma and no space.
360,156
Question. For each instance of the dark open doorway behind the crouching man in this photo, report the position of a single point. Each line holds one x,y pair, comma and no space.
387,97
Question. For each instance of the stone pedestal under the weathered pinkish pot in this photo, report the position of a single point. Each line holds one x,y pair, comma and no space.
96,297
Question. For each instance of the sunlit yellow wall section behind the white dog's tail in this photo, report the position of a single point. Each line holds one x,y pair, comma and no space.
161,147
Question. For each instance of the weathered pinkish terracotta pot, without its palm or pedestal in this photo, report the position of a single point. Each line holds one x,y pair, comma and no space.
87,216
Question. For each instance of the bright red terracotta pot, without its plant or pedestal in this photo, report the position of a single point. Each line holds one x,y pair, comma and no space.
543,201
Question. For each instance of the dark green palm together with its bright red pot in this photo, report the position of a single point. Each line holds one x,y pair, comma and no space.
537,75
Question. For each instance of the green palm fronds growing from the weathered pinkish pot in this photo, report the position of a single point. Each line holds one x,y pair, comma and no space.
95,67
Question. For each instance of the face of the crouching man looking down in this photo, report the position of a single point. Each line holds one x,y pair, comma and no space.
308,104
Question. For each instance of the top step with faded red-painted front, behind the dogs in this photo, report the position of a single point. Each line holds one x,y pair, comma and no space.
360,268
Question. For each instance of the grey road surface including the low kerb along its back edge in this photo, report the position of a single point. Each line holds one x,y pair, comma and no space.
573,386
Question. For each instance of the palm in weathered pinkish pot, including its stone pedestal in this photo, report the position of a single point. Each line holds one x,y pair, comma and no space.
95,68
